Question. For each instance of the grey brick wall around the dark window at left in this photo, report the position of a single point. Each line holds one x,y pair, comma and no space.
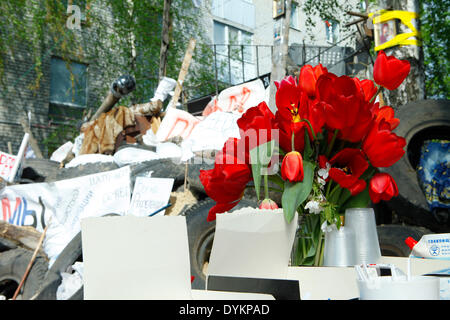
16,97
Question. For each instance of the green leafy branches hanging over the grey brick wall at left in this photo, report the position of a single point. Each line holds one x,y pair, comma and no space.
117,37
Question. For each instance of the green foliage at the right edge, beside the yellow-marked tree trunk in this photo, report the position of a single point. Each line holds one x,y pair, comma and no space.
435,30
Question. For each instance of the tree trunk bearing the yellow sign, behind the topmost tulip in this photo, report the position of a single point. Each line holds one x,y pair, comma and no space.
413,88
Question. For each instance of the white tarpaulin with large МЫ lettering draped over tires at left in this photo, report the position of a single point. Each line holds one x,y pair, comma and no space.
66,202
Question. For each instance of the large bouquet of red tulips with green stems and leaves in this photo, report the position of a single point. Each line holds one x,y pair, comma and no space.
329,134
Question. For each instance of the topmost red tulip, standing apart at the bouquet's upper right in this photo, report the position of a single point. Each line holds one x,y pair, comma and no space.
389,71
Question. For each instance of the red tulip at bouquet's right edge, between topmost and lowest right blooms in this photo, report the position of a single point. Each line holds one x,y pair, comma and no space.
383,147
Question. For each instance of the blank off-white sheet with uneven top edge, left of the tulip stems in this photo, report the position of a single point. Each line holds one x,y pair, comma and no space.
252,243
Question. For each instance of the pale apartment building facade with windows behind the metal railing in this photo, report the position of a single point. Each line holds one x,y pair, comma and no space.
243,33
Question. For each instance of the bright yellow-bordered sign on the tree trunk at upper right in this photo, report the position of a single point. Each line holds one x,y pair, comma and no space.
402,39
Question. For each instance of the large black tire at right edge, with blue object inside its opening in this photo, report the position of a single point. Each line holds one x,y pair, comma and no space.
419,121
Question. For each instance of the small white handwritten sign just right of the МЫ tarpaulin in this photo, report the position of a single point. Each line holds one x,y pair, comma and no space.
149,195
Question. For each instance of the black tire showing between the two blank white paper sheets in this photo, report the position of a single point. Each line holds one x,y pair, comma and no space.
201,236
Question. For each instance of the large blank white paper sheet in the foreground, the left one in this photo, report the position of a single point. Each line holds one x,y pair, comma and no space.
136,258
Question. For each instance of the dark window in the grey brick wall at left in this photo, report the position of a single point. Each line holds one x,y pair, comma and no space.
68,89
